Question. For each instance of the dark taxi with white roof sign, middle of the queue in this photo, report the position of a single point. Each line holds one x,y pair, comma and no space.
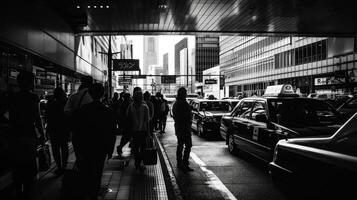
258,123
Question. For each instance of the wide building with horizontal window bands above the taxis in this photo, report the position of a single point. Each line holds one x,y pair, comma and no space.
309,64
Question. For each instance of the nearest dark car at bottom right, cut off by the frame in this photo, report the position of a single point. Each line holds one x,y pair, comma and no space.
324,167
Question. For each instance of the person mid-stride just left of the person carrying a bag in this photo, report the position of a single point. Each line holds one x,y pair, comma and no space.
124,124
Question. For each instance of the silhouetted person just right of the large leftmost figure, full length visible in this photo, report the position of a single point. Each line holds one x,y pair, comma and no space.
57,128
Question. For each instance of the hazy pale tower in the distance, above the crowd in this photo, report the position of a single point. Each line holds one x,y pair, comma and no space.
150,55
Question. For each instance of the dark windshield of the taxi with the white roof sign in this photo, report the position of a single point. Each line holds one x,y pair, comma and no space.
301,112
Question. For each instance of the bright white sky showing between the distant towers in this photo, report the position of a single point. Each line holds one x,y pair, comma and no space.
166,45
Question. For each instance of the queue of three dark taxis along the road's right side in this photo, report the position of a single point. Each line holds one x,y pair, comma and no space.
295,136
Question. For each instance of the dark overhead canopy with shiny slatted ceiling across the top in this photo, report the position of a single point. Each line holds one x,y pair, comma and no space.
303,17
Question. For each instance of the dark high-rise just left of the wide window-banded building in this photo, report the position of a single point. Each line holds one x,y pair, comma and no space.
207,54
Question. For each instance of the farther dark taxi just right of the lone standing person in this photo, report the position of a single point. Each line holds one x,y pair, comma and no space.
207,114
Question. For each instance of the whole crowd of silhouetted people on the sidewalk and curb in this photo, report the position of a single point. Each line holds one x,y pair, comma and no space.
91,122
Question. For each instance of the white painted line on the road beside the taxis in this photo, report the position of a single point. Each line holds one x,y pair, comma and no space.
213,180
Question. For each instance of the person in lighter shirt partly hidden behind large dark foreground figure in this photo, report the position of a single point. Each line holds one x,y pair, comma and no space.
74,103
